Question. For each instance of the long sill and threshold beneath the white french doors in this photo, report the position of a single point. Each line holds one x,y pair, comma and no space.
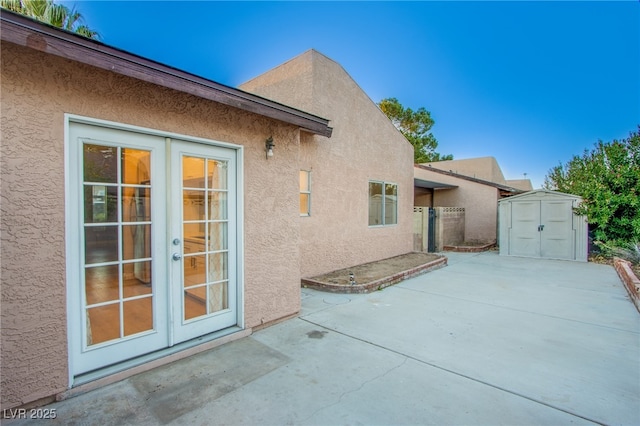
117,372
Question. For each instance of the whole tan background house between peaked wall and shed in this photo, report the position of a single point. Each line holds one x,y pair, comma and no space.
475,184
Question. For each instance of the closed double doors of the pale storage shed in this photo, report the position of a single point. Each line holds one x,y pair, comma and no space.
542,228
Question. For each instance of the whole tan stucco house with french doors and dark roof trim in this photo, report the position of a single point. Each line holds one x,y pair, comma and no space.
143,219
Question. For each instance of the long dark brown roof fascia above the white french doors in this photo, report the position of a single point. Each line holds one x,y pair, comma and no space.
27,32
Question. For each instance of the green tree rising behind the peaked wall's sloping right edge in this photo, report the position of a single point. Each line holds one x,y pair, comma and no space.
415,126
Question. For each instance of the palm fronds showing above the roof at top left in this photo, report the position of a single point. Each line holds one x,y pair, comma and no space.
51,13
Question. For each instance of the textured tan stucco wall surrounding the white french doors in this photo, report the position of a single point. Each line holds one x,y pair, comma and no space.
37,90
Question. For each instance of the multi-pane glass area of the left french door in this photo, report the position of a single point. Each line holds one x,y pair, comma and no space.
117,242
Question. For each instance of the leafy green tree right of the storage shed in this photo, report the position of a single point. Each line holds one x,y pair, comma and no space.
608,180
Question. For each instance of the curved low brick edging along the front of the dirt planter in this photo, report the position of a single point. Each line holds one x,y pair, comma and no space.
377,284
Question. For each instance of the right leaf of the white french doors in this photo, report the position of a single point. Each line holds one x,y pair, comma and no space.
203,233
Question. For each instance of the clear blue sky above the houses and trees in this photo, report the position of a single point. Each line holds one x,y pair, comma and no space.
530,83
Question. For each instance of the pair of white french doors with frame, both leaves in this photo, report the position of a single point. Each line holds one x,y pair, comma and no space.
152,251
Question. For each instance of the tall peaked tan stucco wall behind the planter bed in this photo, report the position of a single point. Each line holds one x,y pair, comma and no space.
364,146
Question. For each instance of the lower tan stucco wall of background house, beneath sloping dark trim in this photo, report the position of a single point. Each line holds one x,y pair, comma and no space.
480,203
